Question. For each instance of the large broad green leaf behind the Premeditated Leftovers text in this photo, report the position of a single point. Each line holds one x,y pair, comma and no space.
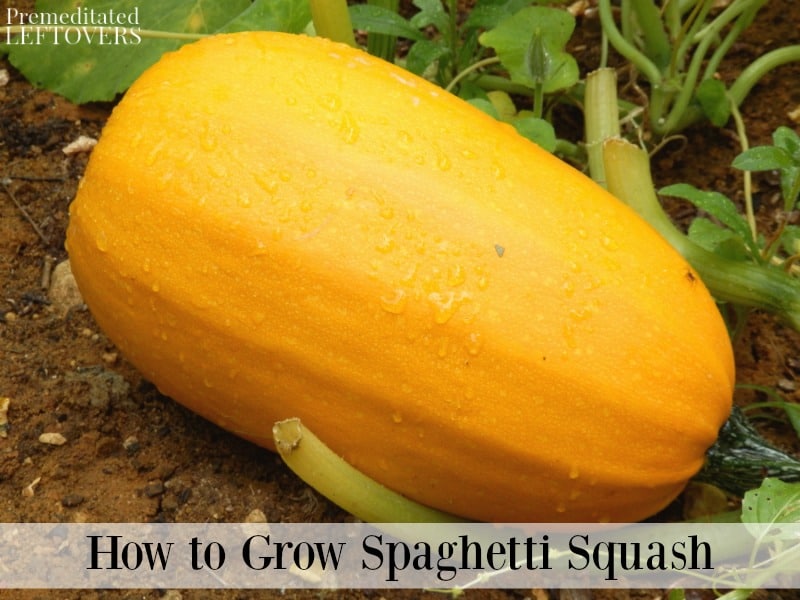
86,65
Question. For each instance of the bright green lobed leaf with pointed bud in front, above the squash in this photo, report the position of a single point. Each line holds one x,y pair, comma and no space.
531,45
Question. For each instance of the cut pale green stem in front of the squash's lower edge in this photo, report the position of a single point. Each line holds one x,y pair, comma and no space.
350,489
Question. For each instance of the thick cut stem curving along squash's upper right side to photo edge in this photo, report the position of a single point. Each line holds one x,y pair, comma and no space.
628,175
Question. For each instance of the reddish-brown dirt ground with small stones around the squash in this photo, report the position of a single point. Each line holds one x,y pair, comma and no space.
133,455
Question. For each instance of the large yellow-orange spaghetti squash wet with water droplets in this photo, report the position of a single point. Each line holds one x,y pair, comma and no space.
276,226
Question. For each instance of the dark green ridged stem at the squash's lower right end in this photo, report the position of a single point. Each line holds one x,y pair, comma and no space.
741,459
